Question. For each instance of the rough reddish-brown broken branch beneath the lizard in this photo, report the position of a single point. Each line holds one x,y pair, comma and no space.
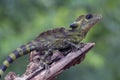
60,62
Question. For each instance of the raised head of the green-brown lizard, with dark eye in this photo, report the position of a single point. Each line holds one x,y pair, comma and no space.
84,22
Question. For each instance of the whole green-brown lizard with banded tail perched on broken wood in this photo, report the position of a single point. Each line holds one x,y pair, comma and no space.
55,39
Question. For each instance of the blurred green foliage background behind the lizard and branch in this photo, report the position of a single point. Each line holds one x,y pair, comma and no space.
22,20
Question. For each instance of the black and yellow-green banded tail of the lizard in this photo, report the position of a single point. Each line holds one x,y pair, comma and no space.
23,50
